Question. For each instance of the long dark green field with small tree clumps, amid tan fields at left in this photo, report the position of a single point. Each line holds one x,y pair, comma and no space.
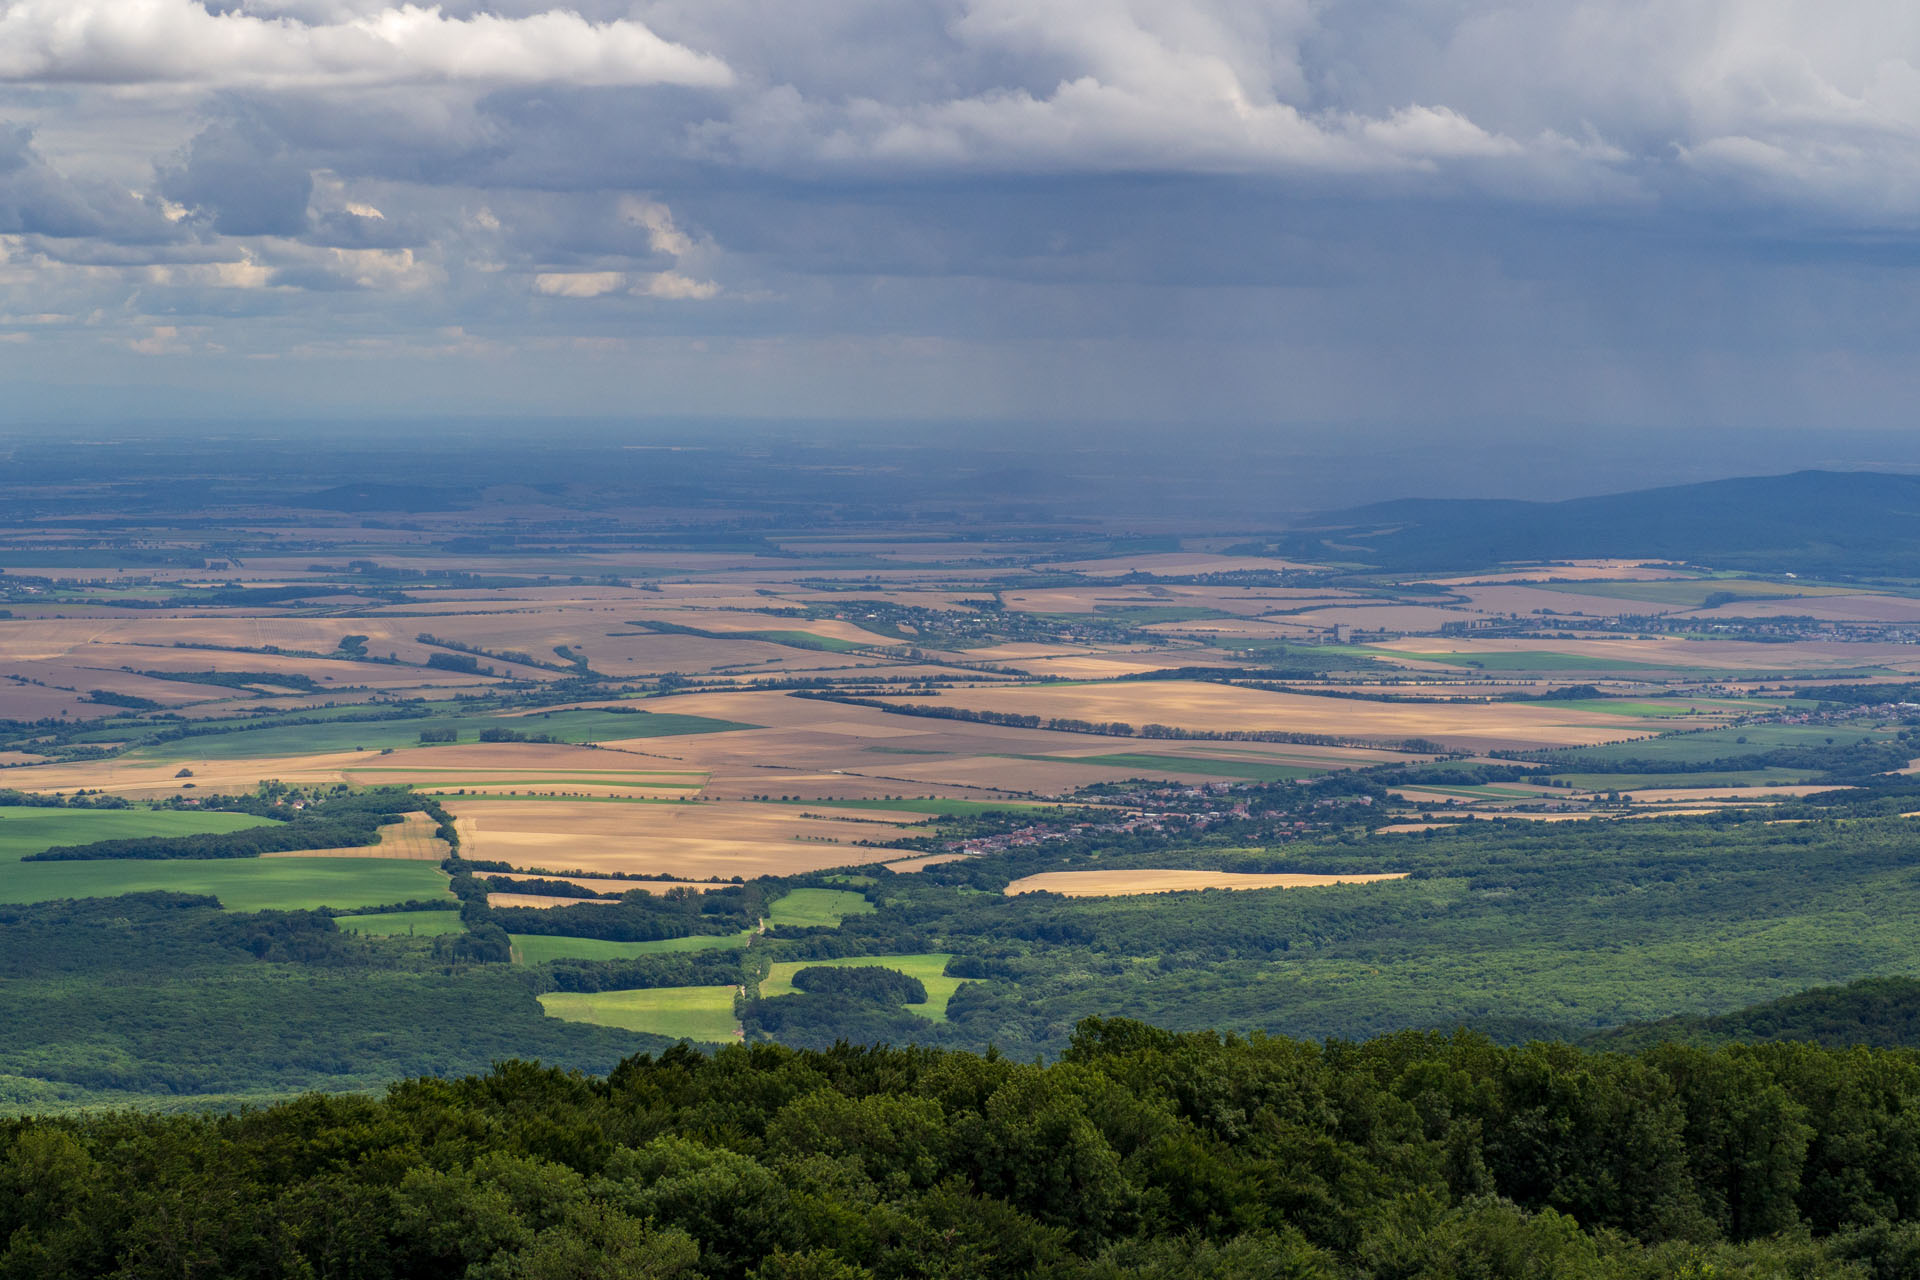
287,740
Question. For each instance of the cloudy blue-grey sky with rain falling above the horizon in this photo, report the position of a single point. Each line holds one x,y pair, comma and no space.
1428,216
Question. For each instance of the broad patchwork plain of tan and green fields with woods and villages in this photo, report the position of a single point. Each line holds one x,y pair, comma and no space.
686,753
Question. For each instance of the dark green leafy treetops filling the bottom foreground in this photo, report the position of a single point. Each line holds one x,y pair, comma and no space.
1141,1154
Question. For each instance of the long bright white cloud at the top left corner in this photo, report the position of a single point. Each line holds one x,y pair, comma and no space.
183,43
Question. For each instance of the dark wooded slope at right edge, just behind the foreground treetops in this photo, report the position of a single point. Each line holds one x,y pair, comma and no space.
1883,1014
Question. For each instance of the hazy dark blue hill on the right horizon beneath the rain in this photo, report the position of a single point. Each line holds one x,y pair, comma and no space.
1856,523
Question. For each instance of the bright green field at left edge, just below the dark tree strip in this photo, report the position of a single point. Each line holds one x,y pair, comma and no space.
241,884
